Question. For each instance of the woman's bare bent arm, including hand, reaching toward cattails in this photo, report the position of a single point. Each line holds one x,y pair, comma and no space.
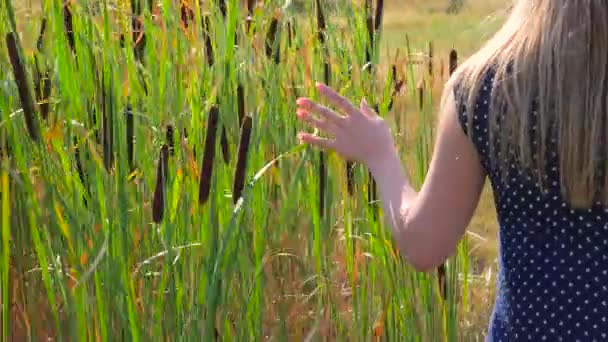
426,225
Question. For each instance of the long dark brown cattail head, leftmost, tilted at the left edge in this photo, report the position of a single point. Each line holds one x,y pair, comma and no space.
25,95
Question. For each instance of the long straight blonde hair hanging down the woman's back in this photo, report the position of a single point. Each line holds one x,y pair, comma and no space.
550,57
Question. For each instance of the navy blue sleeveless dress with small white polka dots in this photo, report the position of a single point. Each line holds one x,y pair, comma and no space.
553,262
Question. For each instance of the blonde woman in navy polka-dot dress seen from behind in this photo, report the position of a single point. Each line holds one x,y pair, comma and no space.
529,111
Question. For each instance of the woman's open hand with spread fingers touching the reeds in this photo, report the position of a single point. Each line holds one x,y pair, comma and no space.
357,134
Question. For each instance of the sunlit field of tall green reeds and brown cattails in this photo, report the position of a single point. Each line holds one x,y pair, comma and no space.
152,187
